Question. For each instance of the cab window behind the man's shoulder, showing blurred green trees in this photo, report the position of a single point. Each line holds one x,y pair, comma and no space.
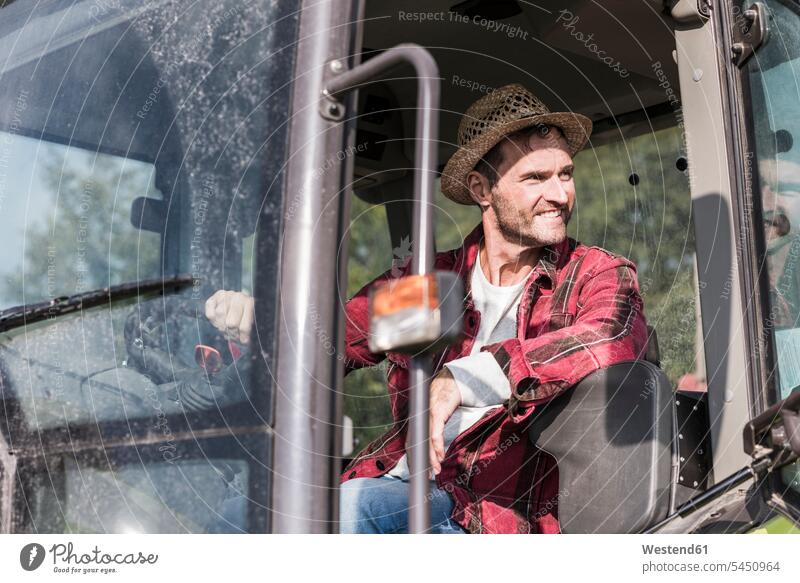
632,198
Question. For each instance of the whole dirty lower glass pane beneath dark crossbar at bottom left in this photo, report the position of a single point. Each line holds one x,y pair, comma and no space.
173,487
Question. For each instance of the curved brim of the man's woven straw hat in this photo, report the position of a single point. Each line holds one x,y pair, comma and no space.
576,129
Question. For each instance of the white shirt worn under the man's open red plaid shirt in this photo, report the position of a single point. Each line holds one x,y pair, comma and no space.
482,382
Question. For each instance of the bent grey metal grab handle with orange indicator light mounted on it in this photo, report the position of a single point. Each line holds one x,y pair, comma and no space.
425,168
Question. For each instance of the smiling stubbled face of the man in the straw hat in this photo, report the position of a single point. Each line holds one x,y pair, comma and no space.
535,195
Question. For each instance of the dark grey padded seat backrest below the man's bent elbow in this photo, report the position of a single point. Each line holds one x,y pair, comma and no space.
611,436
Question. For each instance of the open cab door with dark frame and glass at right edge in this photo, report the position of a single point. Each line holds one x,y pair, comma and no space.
763,72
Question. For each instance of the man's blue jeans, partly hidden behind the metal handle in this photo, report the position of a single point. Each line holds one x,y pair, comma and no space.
380,506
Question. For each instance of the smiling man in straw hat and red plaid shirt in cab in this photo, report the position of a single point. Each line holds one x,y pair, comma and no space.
542,311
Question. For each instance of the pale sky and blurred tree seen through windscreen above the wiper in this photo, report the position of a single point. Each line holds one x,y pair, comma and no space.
67,228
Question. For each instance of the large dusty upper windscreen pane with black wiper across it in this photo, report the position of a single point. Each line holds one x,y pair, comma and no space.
134,152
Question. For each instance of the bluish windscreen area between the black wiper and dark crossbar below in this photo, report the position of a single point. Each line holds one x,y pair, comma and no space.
133,361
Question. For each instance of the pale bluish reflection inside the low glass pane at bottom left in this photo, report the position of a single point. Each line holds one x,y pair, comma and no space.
198,496
